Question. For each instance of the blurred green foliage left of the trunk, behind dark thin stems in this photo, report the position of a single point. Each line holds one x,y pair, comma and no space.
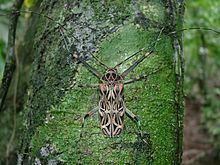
8,142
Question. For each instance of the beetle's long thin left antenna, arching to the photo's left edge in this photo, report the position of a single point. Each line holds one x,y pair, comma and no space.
53,20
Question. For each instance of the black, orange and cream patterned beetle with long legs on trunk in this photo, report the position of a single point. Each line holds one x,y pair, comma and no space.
111,106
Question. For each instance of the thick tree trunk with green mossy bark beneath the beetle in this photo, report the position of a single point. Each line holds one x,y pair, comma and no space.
111,30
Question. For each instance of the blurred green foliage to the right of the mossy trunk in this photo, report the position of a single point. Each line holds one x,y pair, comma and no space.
204,13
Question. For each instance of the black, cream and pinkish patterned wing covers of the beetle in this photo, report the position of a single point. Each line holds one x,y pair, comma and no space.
111,109
